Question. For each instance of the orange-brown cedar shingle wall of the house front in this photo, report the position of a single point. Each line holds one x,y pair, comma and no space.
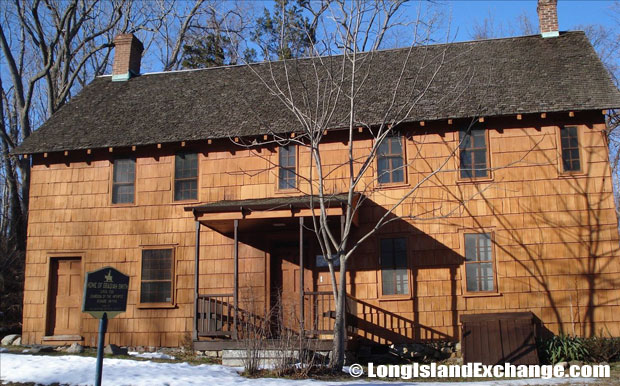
556,237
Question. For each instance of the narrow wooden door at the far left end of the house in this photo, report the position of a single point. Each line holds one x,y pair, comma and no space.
66,287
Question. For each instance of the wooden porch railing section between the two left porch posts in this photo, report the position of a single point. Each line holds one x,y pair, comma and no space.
216,315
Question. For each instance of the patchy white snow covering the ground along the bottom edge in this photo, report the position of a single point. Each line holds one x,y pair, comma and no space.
77,370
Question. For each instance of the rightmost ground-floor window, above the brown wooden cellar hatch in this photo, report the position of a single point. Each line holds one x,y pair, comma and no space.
479,262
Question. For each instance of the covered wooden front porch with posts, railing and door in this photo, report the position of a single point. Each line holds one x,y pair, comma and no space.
292,305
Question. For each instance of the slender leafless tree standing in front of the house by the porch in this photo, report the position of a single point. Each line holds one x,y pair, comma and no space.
327,92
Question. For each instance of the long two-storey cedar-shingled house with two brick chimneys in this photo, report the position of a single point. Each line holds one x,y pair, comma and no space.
145,173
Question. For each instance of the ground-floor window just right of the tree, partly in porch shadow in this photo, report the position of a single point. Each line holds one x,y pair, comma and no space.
394,274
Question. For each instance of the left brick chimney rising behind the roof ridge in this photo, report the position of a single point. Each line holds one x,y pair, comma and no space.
127,56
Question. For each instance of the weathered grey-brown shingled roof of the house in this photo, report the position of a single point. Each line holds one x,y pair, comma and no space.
519,75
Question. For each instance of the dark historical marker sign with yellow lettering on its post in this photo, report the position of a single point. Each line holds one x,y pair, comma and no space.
105,296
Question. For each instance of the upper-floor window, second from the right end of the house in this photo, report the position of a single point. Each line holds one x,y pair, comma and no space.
473,153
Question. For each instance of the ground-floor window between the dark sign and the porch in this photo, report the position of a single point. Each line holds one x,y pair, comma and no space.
156,279
